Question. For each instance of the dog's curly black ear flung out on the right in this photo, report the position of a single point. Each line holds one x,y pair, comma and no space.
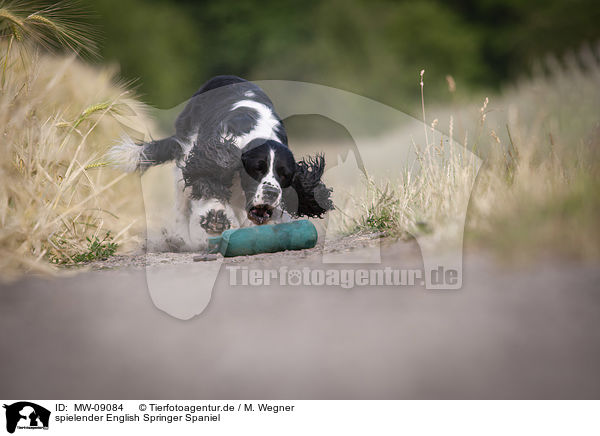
309,196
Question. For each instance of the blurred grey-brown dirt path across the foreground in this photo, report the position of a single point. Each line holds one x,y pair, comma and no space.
510,332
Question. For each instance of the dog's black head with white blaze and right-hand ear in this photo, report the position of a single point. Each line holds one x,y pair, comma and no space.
271,178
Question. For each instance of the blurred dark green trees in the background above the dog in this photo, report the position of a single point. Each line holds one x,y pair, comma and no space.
374,48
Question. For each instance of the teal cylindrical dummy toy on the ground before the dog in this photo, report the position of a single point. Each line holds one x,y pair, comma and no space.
296,235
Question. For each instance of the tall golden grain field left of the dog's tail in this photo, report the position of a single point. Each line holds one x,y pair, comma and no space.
58,117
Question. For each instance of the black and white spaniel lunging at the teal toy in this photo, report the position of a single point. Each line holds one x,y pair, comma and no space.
233,165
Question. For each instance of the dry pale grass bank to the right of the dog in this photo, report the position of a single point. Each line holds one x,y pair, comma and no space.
538,189
